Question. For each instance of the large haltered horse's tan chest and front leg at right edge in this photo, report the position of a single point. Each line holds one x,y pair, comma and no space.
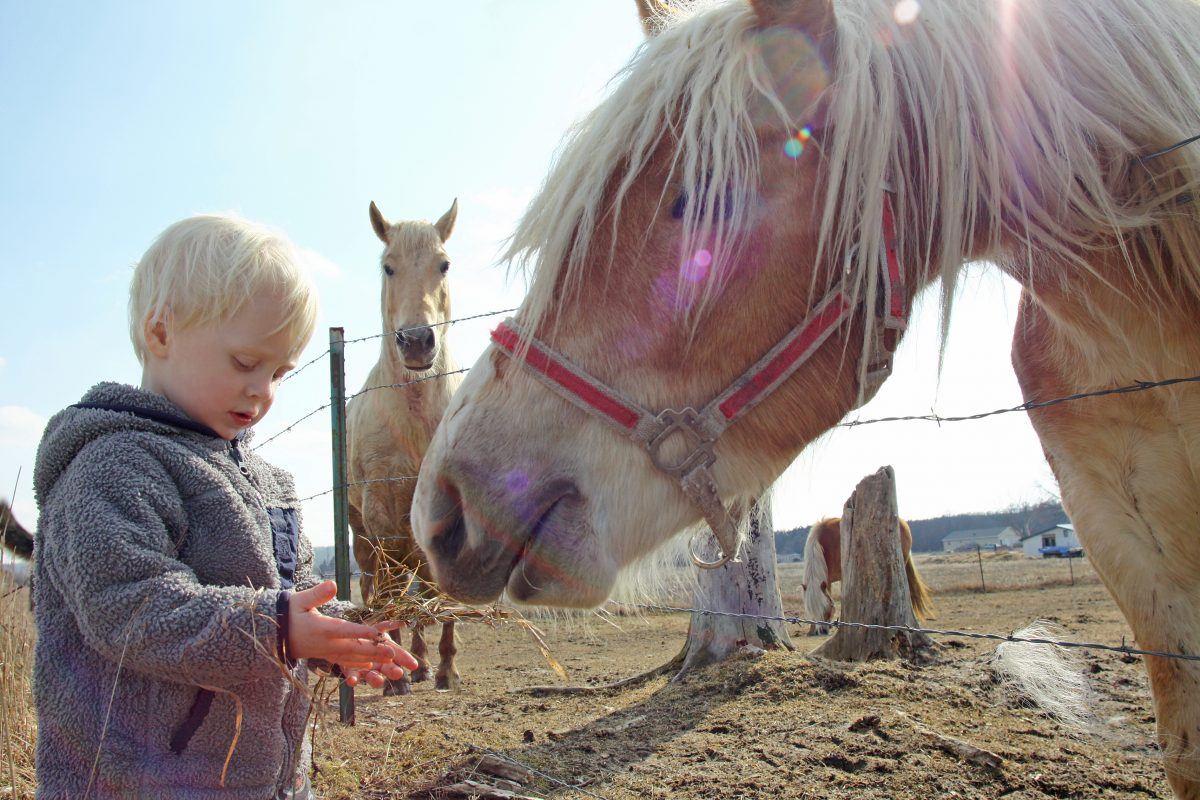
1127,467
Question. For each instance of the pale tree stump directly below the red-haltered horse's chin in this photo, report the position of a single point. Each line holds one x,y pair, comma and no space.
747,587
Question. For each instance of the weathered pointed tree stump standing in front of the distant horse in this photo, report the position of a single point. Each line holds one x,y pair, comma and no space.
874,584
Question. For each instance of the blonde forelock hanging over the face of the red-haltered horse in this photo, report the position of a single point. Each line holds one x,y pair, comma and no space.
687,89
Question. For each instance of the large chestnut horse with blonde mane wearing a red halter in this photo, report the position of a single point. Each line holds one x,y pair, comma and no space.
737,234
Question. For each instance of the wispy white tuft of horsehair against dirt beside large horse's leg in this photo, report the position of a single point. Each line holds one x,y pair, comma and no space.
1048,676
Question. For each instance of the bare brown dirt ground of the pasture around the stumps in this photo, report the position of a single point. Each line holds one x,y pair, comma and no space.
777,726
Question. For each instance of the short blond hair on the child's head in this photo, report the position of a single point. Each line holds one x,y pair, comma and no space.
203,269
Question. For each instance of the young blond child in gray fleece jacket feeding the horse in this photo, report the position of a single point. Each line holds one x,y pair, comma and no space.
175,597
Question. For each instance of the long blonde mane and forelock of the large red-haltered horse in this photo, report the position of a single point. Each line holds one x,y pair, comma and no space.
1006,129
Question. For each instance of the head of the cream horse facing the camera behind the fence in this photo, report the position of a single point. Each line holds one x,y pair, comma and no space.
415,297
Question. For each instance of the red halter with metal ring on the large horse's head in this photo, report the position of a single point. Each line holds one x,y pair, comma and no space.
704,428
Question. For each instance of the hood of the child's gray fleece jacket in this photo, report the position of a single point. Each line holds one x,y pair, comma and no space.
110,408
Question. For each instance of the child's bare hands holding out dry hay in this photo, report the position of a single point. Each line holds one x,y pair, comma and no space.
361,651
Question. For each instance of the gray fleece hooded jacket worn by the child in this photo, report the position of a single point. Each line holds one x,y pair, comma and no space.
163,567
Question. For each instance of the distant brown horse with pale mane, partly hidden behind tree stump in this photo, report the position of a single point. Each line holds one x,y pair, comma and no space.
823,569
